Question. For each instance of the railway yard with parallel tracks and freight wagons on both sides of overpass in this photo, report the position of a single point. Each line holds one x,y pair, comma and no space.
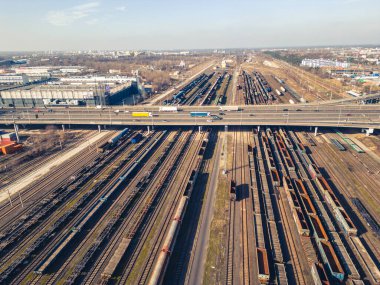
210,205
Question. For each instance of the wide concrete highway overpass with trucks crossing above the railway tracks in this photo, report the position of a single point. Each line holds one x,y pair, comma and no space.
348,115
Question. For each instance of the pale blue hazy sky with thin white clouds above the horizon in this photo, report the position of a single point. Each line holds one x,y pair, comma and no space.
29,25
